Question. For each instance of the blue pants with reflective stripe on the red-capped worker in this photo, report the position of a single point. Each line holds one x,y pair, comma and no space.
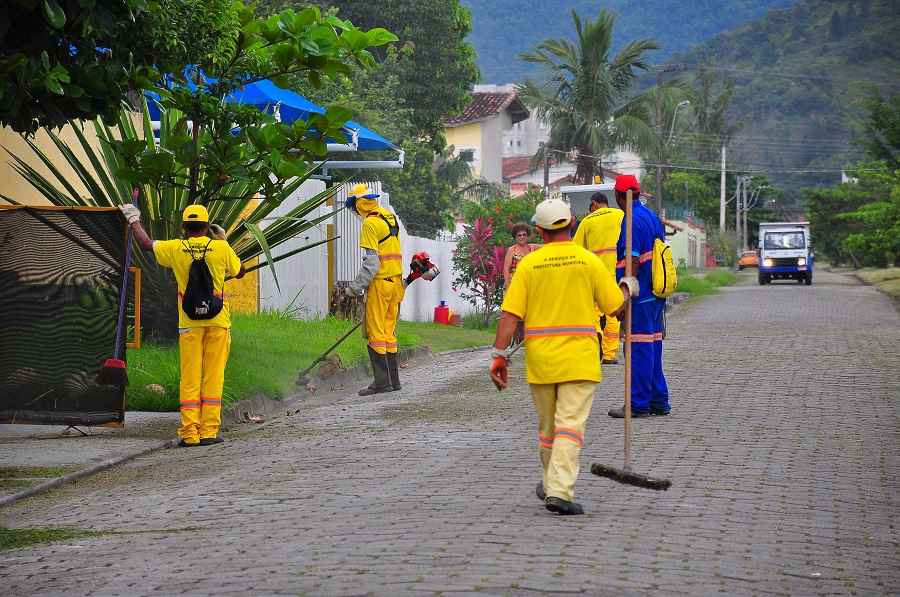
649,390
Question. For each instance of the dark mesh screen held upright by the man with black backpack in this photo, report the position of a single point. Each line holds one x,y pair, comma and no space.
60,277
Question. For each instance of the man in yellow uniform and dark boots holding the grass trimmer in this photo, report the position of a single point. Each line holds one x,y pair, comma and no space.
381,274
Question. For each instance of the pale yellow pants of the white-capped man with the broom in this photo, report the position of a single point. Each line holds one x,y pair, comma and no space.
562,409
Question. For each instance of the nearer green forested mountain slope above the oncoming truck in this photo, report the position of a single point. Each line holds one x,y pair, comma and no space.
799,76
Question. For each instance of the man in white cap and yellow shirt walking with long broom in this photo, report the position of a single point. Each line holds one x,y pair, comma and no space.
554,291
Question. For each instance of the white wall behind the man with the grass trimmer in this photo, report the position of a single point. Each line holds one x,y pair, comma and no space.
307,272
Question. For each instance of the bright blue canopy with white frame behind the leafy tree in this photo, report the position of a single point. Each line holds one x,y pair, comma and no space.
288,106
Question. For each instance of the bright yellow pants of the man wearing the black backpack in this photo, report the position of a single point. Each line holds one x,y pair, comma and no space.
203,354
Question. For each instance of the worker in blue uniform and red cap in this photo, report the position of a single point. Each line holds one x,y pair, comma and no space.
649,391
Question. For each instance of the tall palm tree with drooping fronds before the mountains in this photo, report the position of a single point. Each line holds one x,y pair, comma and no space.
586,98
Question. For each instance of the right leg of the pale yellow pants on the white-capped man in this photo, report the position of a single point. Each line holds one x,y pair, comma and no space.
573,405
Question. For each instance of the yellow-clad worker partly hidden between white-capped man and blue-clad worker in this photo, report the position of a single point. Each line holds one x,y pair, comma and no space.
598,232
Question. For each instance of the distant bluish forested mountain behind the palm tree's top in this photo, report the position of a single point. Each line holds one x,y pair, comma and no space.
503,29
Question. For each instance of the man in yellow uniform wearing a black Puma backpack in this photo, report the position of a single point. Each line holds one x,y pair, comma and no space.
204,322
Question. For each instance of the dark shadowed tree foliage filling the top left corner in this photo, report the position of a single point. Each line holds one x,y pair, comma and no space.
64,60
